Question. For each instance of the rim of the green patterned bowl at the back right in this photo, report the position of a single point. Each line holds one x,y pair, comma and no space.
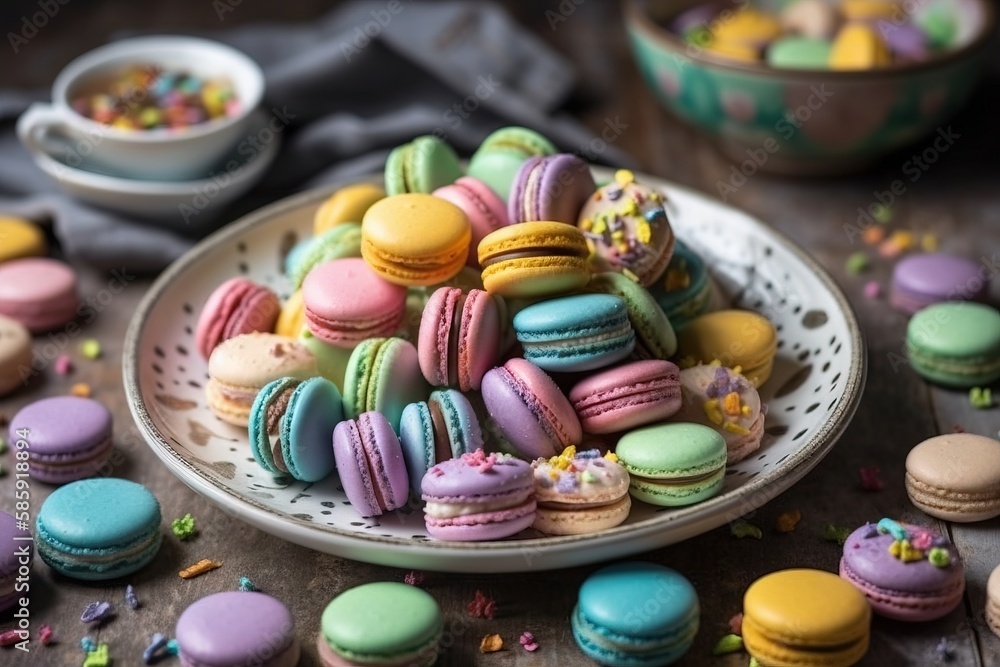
637,19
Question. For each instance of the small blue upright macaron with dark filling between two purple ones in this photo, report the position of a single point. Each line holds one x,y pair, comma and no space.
441,428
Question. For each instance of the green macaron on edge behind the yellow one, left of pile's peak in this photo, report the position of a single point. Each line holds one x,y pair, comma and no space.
422,165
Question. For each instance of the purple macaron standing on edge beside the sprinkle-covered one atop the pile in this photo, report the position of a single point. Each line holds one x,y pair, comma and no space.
551,188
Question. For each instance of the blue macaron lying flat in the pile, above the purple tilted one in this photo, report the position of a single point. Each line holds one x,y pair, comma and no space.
575,333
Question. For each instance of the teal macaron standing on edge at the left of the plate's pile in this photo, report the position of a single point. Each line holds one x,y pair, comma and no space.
303,414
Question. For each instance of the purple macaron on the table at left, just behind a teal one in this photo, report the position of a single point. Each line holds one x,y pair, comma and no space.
68,438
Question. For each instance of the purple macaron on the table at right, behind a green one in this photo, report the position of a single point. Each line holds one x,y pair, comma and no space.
922,280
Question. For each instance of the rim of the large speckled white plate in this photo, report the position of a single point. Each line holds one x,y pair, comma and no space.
354,545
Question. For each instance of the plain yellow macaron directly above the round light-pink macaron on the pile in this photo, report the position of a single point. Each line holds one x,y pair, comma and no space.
415,239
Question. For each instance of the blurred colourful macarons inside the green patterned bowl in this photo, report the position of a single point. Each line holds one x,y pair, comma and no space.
822,34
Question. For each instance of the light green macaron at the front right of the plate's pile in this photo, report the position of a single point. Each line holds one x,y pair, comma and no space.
673,464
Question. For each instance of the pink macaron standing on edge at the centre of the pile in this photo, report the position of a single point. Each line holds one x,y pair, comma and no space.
459,338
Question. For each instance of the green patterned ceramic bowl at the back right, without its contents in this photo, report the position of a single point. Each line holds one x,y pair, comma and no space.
806,122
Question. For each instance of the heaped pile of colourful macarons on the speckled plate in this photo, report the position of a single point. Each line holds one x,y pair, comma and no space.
514,345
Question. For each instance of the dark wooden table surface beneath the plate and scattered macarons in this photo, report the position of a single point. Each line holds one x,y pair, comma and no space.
957,199
